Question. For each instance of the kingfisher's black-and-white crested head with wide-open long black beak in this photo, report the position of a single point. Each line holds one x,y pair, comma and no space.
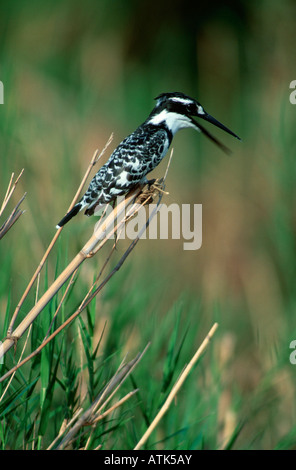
175,111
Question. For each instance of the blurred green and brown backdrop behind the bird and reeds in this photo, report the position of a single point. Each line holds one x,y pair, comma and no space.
73,72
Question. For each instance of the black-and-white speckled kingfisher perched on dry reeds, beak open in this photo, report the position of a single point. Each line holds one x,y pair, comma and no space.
140,152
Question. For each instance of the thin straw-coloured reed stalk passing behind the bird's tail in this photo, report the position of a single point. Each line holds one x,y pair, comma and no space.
96,157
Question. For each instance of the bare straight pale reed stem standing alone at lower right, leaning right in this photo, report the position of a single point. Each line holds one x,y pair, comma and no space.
176,387
